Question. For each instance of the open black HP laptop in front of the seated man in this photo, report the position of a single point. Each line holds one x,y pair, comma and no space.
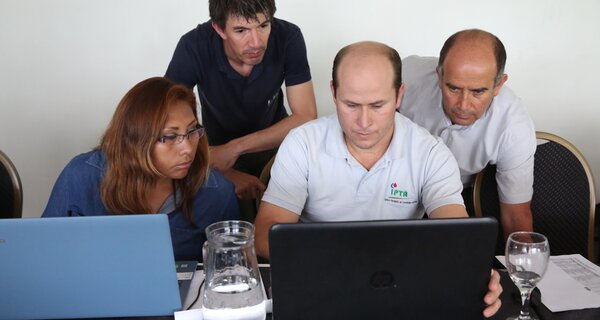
400,269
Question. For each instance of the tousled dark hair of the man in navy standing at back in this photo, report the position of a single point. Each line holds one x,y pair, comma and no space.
220,10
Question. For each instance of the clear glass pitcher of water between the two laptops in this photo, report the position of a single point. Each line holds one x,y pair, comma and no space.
232,287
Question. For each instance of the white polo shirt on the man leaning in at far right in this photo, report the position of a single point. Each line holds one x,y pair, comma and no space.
504,136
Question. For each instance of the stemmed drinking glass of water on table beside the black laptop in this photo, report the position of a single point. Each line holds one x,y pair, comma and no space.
527,255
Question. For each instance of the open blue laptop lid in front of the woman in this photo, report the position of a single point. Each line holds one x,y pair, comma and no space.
84,267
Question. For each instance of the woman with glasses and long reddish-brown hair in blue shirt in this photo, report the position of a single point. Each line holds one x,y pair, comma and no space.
153,158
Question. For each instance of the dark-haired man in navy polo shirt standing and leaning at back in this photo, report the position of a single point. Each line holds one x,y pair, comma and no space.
239,60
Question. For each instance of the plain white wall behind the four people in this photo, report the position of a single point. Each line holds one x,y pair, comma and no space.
64,64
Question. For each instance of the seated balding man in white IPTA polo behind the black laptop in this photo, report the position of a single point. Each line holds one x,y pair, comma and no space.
366,162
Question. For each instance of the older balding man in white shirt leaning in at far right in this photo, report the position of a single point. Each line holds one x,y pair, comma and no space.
462,99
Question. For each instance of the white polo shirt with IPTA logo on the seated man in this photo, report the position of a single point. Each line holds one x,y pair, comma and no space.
315,176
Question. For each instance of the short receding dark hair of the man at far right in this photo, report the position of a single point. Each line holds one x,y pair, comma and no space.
498,48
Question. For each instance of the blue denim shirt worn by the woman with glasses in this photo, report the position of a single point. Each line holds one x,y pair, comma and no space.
77,193
